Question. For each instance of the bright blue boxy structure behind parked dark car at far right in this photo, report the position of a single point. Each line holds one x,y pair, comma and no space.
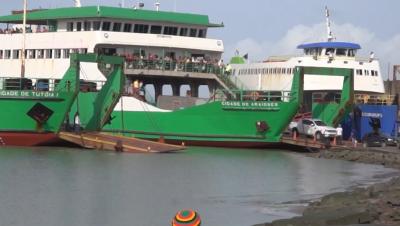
358,122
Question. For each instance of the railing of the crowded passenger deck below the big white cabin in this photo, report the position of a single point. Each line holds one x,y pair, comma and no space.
174,65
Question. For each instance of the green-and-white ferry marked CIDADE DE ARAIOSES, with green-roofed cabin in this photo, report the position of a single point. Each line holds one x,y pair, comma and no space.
164,52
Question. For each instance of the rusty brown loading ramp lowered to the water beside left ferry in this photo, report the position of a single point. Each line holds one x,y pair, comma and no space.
110,142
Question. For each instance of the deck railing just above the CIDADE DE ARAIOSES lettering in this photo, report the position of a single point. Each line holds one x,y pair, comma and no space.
251,95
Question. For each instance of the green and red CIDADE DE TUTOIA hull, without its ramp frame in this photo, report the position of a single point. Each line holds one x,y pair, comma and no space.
30,119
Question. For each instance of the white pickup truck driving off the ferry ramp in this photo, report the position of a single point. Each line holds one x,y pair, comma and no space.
312,127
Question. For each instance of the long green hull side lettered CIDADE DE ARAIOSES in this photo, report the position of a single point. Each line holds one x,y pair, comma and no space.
207,125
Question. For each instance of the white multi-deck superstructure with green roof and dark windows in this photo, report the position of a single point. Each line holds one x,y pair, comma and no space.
148,39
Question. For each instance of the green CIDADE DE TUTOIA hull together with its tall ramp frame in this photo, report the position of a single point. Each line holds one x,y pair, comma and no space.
30,117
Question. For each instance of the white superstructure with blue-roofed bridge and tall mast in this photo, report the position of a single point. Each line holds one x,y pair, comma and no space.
276,73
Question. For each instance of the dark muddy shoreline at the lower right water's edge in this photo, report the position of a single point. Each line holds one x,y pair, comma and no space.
378,204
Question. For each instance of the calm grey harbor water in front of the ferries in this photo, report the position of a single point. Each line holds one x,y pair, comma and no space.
235,187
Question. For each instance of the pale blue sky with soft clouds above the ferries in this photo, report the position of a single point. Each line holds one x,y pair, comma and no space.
263,28
